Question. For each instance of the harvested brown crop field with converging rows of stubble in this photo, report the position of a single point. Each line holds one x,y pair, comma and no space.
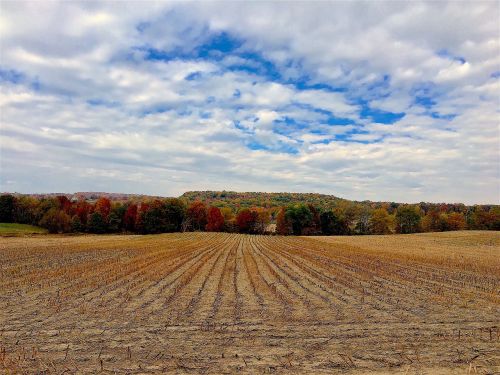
228,303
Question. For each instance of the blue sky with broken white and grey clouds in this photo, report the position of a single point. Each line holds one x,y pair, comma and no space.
392,101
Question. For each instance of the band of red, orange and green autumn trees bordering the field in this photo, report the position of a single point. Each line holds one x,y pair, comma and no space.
62,215
